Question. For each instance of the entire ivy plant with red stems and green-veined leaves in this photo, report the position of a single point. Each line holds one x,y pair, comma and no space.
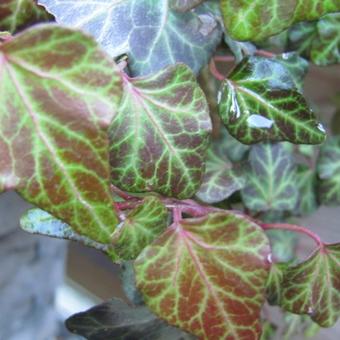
121,126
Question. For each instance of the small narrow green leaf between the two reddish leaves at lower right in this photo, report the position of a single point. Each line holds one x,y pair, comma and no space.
274,283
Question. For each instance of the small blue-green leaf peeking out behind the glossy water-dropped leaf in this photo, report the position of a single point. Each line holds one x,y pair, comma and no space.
297,67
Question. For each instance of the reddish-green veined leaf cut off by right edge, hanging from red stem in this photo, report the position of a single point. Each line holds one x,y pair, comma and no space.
313,287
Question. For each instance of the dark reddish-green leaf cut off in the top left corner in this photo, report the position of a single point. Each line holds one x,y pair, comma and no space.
15,15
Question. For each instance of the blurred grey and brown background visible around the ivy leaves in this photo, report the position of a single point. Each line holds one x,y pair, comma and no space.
43,281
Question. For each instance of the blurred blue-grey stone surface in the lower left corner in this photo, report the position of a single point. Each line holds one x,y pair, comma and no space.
31,269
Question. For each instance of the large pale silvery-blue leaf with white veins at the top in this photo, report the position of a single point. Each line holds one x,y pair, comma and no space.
120,26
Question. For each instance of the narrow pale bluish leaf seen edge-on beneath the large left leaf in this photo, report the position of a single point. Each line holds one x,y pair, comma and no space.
37,221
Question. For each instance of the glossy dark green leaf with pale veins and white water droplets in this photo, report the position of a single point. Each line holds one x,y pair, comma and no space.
259,101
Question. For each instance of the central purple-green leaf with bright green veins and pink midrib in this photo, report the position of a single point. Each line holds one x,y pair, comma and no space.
160,135
